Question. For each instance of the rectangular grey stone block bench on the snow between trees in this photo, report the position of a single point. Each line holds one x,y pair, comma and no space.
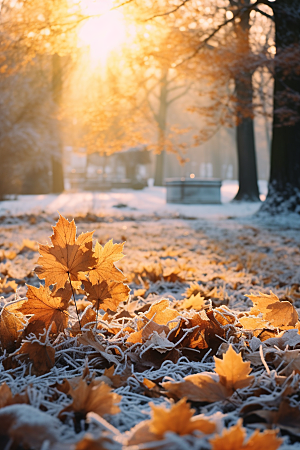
193,190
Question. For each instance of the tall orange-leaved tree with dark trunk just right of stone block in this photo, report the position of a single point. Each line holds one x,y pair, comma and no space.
215,42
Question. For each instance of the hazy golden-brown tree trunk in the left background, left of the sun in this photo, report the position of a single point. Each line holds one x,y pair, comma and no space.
57,158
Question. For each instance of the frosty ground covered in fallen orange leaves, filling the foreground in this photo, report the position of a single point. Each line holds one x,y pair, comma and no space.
190,342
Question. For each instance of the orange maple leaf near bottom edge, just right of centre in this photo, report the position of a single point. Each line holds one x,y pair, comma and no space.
178,419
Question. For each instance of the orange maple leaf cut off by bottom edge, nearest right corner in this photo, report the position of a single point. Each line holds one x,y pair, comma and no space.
235,439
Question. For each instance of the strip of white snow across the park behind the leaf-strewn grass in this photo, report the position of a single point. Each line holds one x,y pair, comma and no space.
151,200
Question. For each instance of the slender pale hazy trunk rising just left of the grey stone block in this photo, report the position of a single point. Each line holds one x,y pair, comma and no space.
162,124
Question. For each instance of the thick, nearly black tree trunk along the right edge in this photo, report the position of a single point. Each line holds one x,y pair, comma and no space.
284,183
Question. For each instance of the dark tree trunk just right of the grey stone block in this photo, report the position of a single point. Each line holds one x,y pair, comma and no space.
247,170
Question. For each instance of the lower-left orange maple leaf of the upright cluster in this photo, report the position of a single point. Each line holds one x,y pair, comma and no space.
47,309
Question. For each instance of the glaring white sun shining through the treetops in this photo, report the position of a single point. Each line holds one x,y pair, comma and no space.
103,33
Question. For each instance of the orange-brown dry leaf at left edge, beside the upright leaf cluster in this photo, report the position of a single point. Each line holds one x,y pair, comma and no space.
12,323
